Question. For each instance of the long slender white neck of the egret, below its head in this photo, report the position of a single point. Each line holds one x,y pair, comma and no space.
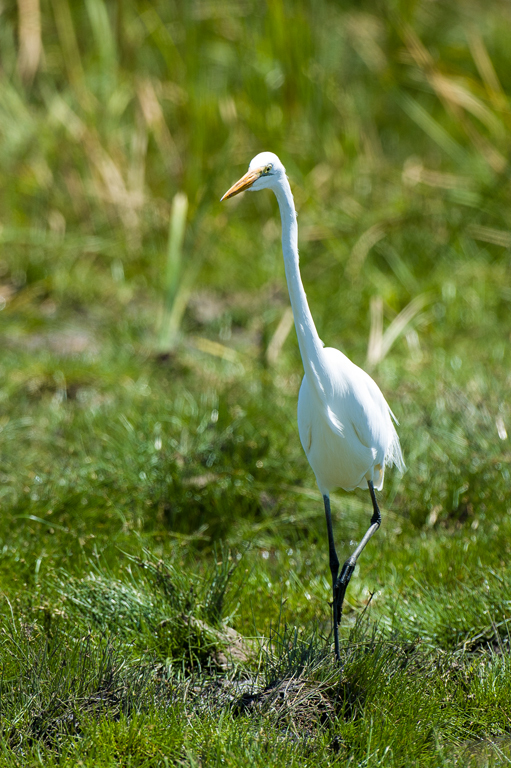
308,340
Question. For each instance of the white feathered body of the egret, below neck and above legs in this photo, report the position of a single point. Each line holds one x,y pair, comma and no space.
346,429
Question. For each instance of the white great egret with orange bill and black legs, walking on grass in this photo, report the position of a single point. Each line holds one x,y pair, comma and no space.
344,422
